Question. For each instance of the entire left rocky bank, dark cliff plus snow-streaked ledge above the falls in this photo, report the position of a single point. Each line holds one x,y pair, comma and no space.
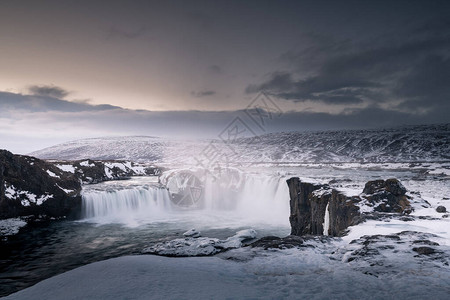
51,189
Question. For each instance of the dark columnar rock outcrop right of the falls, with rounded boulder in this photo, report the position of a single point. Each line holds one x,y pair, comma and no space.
315,206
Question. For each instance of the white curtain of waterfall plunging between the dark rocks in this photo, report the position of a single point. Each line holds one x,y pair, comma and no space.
260,199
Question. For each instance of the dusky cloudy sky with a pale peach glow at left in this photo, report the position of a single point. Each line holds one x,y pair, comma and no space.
186,69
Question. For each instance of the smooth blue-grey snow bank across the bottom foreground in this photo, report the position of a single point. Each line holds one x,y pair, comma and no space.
243,273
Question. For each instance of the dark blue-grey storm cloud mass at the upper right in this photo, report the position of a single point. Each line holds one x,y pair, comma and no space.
414,70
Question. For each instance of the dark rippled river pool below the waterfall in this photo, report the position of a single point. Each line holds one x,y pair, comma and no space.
52,248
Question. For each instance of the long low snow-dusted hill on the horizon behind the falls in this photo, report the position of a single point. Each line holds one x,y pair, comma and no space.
402,144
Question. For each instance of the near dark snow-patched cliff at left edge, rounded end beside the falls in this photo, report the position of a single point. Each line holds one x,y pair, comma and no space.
30,186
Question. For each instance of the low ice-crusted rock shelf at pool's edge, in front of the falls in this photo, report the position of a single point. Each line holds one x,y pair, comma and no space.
200,246
